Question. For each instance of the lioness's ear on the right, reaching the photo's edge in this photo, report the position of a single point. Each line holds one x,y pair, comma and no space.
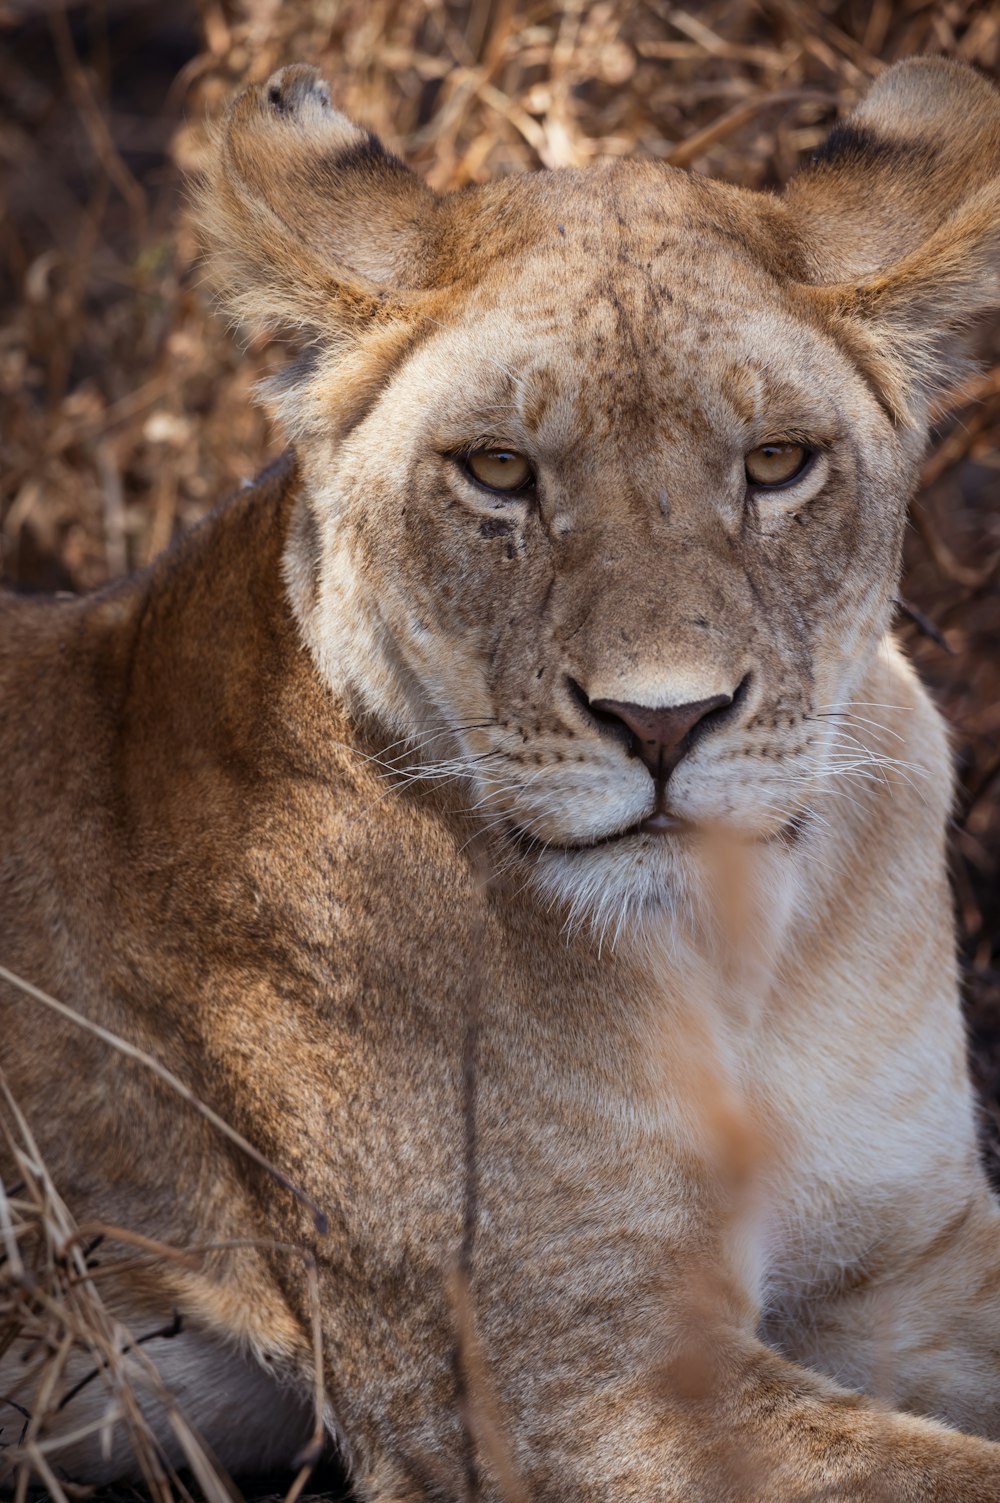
898,220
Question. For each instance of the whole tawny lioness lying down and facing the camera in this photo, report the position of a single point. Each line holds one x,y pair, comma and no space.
515,818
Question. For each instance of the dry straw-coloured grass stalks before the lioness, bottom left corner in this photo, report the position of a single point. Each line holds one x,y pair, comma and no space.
53,1308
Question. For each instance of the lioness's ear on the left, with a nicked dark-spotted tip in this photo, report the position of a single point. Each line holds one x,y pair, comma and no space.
306,220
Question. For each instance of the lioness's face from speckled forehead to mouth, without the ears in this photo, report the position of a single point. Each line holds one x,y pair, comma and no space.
632,360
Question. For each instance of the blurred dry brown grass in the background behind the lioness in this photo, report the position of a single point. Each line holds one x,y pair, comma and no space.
127,410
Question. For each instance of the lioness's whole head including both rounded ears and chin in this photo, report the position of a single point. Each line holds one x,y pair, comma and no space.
607,471
